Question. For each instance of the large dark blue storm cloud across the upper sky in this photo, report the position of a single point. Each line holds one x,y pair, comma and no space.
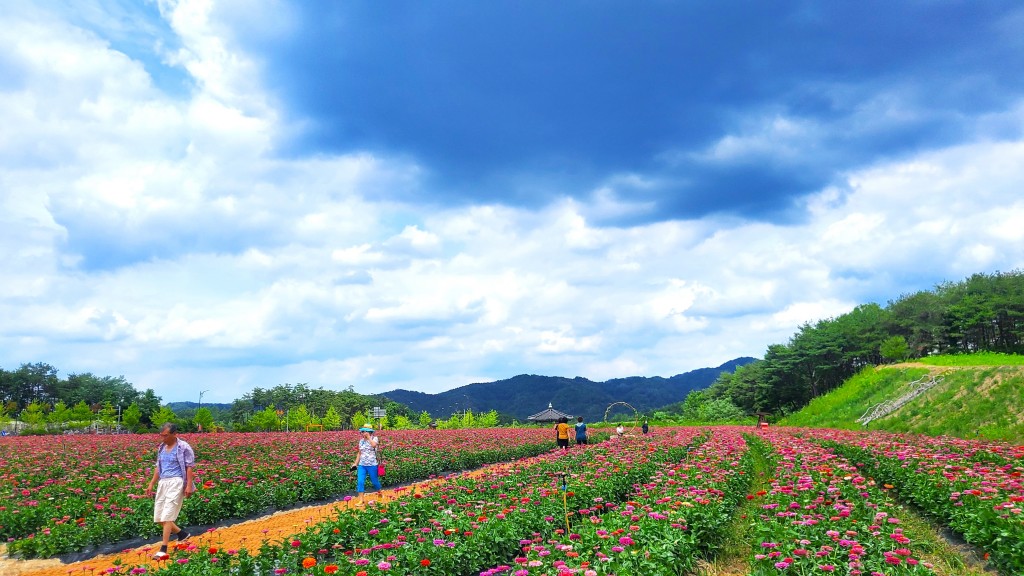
520,102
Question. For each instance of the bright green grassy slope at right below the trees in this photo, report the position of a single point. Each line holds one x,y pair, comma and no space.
980,396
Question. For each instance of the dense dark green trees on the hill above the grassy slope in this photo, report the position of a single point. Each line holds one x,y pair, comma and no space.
985,313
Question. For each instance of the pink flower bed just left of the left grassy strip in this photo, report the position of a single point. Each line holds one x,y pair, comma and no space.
668,523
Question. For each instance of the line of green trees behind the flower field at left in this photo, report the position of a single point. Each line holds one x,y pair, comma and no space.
44,403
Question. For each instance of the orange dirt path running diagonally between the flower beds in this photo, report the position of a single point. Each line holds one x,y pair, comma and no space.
247,534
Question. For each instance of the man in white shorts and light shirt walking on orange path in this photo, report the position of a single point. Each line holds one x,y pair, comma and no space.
176,474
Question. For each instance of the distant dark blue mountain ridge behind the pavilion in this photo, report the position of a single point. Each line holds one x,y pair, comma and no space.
526,395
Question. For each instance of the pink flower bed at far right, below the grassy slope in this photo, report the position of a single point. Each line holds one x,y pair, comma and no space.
975,488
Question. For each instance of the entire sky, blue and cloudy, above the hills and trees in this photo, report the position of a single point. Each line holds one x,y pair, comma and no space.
204,195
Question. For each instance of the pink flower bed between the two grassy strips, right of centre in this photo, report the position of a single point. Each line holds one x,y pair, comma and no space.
822,515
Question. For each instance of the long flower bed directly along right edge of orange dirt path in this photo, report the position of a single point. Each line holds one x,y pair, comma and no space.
465,525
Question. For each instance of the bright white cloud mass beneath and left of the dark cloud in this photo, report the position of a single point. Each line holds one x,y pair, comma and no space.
175,238
